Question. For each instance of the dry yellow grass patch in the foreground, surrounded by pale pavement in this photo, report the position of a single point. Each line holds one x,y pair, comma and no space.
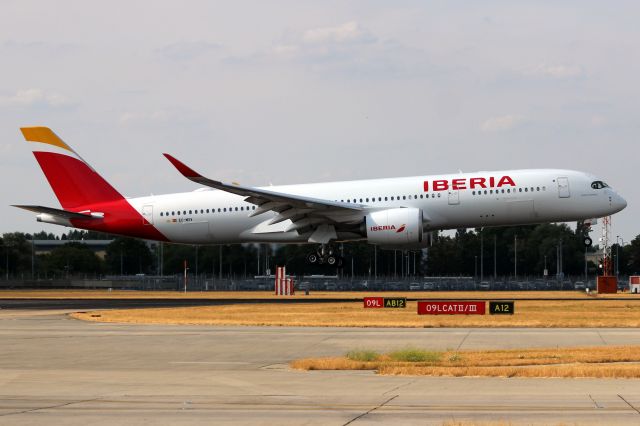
601,362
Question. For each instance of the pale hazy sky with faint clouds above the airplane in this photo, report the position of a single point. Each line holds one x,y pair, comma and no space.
308,91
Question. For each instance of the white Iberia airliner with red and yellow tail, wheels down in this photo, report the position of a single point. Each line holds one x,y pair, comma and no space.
393,213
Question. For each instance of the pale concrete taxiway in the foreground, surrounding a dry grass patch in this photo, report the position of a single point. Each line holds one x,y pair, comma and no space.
54,369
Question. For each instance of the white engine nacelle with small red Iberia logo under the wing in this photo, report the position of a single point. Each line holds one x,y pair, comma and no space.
395,227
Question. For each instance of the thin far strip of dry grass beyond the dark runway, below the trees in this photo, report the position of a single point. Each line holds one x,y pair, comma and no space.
133,294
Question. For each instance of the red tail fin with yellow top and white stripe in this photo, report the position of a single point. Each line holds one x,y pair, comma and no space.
74,182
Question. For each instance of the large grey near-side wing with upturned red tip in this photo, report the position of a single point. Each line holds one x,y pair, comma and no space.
306,213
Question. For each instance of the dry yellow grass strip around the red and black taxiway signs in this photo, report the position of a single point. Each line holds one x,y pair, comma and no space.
529,313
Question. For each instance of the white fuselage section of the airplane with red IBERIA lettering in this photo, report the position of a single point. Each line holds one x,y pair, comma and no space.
462,200
